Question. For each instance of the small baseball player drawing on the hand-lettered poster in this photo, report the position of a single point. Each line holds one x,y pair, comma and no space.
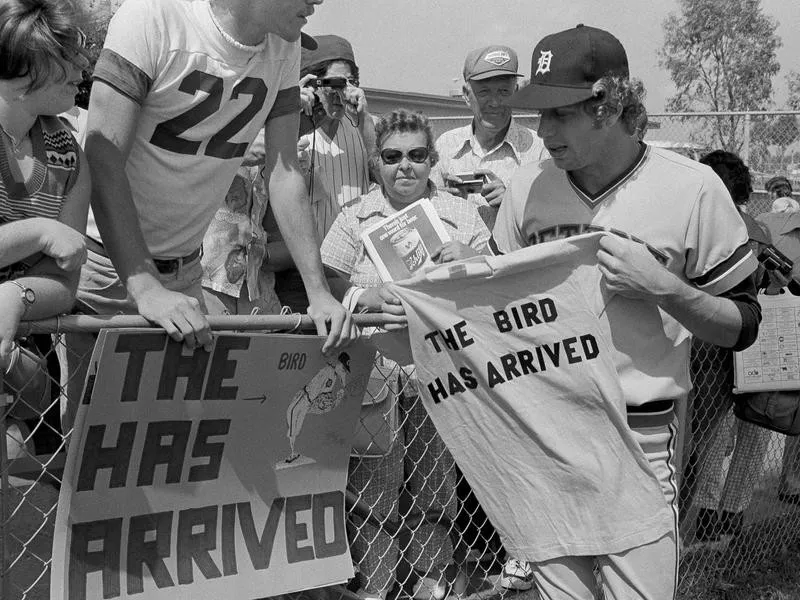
321,395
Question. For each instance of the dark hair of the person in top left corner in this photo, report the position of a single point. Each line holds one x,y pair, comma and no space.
36,38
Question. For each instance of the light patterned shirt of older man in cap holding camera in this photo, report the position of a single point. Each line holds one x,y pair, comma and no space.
460,152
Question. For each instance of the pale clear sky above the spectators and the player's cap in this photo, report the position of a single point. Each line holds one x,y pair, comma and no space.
420,45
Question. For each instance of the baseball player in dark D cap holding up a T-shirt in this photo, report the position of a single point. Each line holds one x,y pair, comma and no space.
676,247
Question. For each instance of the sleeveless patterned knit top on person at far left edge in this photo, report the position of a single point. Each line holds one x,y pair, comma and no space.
55,171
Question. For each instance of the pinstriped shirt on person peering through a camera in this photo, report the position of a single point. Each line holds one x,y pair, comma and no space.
341,162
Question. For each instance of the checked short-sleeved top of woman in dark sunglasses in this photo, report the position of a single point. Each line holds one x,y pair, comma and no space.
344,251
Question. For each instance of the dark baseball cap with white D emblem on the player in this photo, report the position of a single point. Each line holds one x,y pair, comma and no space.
565,66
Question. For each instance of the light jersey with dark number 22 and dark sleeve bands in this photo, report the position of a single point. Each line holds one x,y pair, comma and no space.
203,99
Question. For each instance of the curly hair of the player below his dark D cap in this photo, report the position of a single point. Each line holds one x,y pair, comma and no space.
615,94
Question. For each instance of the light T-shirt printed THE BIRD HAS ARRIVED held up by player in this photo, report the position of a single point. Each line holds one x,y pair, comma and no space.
519,379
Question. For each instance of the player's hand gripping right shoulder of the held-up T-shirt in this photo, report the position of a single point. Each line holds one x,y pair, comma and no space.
630,270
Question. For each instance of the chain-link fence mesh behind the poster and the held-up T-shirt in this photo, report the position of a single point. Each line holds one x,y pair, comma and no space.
415,529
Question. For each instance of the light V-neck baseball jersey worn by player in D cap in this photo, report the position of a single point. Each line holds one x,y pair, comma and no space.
679,208
